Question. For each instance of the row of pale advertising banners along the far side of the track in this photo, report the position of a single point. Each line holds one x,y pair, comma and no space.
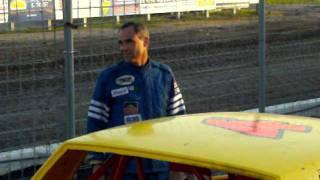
35,10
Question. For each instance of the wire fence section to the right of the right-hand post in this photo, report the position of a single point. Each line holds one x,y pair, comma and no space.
293,59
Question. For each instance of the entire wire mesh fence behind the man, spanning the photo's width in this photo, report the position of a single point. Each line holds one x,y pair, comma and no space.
214,56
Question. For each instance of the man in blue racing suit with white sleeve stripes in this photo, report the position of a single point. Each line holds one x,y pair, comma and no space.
133,90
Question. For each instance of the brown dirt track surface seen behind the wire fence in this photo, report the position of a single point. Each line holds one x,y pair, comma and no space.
215,62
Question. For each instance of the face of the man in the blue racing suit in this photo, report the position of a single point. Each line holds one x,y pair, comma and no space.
132,45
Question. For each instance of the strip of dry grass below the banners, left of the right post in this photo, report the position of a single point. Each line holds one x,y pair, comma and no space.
156,20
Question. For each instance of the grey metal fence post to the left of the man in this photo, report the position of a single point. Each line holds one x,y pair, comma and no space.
69,68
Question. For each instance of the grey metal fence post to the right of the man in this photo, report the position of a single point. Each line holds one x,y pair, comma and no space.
262,56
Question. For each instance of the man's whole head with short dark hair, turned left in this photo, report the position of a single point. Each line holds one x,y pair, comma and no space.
134,42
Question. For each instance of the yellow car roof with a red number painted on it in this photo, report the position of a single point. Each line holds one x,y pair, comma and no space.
265,146
